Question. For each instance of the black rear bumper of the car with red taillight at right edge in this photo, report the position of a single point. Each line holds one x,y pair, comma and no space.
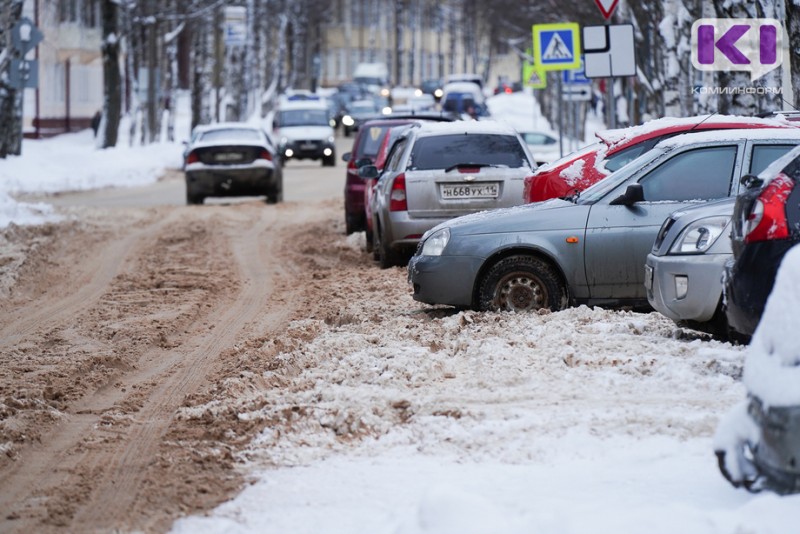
748,282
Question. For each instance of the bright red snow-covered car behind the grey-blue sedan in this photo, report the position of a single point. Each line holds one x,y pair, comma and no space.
576,171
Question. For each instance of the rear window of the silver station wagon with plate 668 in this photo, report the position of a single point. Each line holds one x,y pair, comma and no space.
443,151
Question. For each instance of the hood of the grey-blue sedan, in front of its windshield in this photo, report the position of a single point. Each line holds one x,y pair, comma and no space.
549,215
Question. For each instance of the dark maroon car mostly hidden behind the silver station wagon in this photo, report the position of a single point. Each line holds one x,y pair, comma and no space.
364,151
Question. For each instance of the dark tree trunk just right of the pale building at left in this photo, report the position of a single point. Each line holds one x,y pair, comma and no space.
112,81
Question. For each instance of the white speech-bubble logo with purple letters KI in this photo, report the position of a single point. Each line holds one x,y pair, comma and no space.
753,45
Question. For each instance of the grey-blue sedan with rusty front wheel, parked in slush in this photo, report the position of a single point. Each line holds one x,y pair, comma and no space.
590,249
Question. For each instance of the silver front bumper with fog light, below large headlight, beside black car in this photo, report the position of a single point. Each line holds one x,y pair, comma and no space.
700,275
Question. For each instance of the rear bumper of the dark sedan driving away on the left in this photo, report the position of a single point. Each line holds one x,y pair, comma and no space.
233,181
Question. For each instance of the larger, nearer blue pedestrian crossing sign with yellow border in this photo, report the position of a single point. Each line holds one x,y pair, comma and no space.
557,46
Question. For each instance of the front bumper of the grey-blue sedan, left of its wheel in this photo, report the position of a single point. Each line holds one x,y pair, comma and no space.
444,279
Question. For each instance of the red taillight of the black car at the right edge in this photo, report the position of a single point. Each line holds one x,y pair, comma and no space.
767,218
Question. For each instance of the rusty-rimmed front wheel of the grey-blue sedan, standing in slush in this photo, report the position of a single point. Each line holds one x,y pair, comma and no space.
521,283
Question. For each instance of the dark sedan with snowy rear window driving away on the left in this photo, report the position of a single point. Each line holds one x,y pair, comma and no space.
232,159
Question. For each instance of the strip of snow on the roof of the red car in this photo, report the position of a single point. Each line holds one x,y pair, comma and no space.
653,127
